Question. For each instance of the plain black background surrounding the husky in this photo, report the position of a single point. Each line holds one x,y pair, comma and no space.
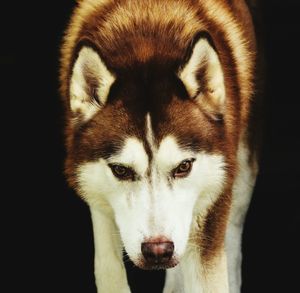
47,236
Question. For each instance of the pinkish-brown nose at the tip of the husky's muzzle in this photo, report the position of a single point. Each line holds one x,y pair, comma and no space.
157,252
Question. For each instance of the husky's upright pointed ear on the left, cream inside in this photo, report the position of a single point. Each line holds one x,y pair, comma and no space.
90,84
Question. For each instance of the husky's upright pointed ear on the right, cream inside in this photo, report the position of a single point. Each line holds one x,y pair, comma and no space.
203,78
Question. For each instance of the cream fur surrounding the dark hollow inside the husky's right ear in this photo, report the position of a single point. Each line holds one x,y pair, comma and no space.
204,55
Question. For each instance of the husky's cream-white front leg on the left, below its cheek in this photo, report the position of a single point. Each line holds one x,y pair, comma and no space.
110,273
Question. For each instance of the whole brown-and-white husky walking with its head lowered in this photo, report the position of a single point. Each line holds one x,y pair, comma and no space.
159,107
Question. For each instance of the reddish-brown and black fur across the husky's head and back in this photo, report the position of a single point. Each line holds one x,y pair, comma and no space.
142,42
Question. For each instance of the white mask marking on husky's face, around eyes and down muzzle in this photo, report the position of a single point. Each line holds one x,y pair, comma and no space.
161,206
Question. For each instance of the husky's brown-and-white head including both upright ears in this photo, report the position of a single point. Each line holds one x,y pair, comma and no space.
148,143
